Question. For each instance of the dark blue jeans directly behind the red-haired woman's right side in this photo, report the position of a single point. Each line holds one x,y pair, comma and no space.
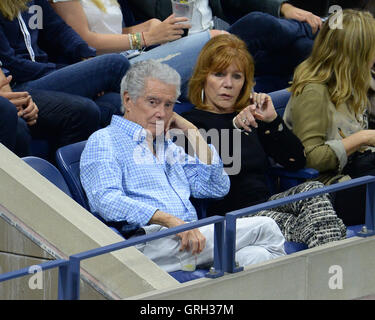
277,46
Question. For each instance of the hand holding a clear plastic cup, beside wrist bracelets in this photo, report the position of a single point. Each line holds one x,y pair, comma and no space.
169,30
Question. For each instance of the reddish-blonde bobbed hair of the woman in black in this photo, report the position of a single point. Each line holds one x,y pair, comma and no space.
217,55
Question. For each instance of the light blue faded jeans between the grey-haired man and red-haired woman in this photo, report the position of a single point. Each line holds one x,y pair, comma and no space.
181,55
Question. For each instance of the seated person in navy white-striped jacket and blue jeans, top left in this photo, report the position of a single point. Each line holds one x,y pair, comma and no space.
22,40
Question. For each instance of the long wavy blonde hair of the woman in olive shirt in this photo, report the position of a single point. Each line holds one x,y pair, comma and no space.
341,59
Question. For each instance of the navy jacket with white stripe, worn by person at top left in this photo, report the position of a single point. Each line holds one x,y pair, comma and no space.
55,37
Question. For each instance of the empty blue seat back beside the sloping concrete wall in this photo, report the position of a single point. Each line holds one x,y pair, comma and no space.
49,171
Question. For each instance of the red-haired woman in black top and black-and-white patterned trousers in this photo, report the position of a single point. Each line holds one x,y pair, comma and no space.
250,131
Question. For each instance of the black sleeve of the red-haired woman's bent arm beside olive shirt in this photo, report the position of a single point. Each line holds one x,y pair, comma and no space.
281,144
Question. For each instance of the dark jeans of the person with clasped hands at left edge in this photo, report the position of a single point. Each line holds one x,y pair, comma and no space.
62,119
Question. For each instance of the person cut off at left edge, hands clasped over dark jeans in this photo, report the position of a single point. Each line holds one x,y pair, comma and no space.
58,117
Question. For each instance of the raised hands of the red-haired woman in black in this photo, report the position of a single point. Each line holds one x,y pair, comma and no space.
260,108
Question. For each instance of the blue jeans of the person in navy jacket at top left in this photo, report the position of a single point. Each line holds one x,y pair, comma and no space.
87,79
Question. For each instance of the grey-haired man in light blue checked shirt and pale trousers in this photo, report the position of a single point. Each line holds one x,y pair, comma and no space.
132,172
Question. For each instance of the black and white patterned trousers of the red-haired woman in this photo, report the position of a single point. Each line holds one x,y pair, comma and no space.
312,221
